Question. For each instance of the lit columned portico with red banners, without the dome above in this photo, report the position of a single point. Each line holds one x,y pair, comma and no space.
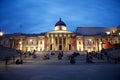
59,41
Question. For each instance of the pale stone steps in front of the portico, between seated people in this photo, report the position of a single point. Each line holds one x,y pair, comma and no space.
53,58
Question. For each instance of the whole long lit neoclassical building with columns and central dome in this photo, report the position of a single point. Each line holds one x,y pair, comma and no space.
84,38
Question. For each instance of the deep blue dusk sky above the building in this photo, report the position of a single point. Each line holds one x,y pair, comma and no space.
38,16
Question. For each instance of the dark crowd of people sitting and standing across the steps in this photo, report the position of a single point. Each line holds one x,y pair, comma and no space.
103,55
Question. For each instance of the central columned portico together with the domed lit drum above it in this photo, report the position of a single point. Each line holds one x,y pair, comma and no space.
60,38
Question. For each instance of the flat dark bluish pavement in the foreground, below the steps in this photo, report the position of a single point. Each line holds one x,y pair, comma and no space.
61,72
